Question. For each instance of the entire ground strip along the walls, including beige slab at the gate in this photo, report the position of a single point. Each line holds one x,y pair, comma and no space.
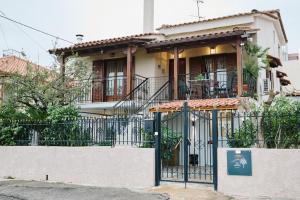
34,190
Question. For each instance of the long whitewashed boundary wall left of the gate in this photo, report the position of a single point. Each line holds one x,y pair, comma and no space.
96,166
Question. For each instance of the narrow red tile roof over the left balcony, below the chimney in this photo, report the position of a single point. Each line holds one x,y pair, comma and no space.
104,42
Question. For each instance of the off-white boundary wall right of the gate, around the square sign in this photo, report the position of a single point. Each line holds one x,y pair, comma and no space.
275,173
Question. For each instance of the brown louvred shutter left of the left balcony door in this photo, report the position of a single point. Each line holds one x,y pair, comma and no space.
98,82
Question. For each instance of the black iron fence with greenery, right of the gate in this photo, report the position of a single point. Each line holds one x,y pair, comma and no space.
261,130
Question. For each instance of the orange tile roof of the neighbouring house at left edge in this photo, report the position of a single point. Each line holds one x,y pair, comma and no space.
13,64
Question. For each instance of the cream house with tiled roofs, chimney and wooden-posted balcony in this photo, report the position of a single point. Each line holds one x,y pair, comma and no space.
195,60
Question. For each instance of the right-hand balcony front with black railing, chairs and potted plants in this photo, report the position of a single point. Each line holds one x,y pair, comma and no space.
208,85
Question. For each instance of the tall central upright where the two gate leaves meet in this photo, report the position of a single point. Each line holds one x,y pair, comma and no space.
186,143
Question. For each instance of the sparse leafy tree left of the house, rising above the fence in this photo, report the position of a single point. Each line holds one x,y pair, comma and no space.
40,90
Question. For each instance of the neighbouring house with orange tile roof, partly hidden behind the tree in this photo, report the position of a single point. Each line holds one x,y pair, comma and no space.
12,64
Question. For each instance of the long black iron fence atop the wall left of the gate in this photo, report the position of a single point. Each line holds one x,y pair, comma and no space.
106,131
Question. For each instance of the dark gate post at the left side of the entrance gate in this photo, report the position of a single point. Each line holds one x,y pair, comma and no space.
157,135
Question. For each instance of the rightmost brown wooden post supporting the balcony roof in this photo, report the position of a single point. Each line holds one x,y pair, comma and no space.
239,67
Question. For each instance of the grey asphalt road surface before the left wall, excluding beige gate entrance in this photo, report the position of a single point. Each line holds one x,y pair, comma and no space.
31,190
